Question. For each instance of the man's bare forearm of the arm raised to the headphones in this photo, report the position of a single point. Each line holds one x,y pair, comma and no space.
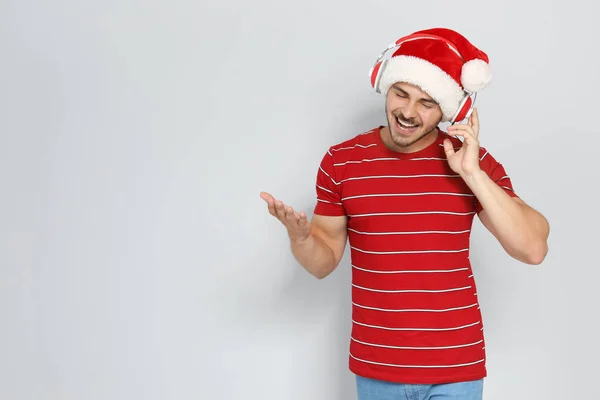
521,230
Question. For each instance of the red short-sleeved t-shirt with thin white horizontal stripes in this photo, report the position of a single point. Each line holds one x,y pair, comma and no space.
415,311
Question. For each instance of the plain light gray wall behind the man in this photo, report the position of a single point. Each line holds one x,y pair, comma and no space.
137,260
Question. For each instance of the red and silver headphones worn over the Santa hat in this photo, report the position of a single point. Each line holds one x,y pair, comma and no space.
376,72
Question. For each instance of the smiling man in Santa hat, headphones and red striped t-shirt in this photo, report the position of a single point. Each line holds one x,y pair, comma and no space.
405,196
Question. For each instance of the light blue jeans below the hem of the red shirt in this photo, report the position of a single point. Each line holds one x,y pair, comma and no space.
370,389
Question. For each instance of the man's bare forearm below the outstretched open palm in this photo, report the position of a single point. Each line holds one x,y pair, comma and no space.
314,255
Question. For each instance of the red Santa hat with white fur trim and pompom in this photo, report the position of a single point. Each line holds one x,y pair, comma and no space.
442,62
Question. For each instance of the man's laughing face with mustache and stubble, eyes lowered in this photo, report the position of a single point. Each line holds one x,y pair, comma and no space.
411,114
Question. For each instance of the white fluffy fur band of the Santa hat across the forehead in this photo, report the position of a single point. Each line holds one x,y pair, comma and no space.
427,76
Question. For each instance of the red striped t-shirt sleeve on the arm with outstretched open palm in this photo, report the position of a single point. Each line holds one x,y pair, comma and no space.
329,200
